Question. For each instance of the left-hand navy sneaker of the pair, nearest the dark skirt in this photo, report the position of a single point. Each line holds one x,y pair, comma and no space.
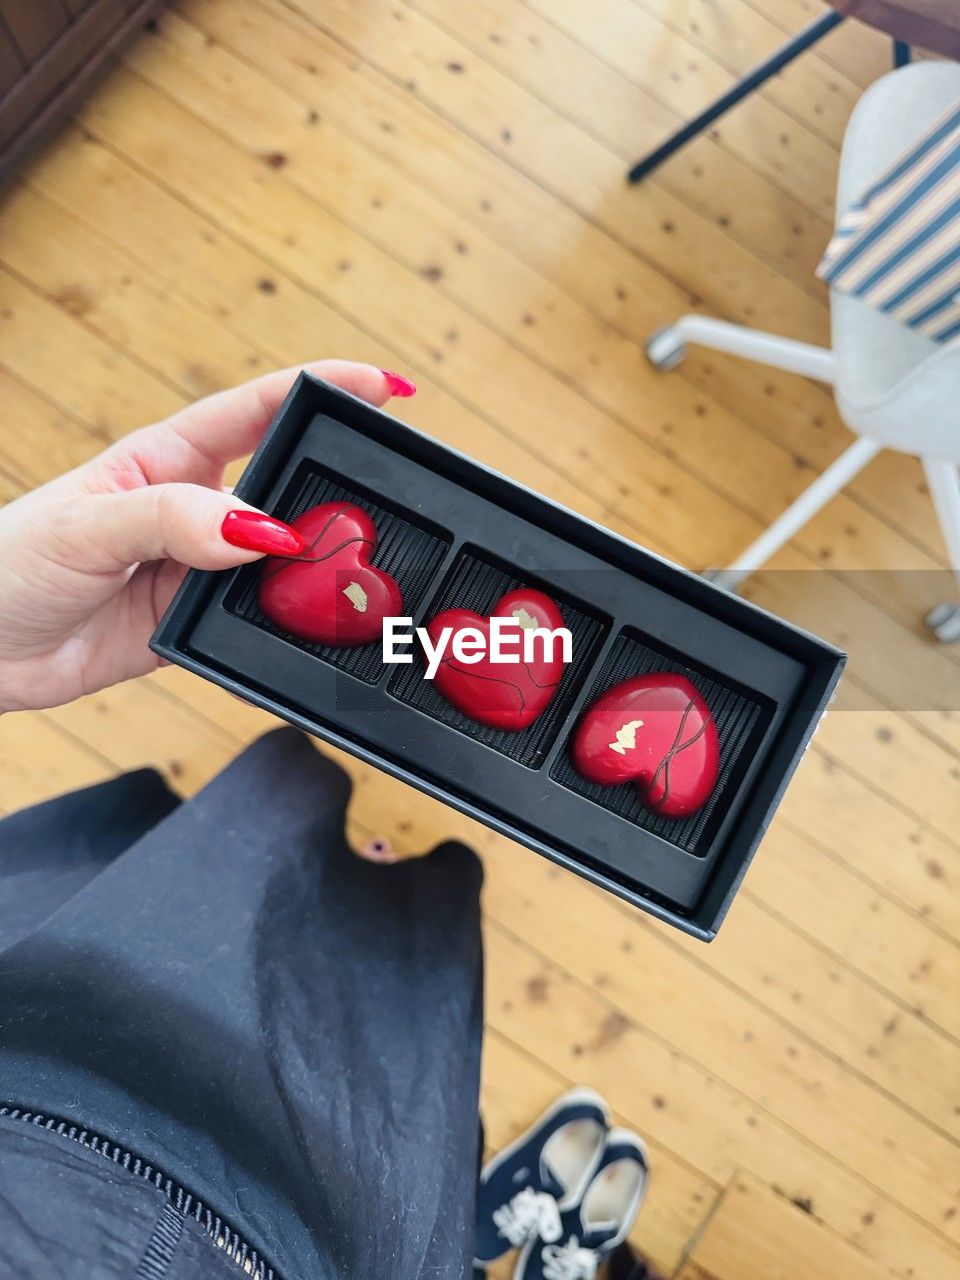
525,1188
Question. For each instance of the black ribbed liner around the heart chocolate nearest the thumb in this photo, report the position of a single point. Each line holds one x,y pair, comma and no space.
412,554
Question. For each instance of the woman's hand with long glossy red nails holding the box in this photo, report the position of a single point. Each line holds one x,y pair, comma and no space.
90,561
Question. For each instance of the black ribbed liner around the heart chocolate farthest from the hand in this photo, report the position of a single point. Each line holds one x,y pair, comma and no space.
740,721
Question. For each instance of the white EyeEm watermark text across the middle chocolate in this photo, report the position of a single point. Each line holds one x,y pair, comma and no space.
506,642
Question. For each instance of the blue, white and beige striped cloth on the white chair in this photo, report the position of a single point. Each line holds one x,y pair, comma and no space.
898,248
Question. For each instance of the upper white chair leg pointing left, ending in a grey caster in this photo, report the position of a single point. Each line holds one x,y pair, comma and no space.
668,348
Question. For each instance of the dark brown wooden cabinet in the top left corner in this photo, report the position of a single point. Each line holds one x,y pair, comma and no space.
51,51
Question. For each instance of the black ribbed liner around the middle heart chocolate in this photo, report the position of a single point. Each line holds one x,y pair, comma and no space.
478,583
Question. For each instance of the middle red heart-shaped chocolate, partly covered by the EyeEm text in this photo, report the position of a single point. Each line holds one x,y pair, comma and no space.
502,694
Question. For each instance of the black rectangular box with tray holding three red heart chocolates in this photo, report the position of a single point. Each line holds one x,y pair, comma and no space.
451,532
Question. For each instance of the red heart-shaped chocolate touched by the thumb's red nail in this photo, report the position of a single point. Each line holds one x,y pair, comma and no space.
331,593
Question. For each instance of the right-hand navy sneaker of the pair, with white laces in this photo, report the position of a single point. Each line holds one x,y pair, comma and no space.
593,1228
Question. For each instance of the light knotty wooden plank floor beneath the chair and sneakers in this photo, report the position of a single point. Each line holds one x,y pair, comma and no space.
438,188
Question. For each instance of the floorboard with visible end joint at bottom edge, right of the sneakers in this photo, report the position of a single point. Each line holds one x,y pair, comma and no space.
757,1235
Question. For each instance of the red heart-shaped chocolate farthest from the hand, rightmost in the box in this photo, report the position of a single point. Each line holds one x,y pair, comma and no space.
656,732
